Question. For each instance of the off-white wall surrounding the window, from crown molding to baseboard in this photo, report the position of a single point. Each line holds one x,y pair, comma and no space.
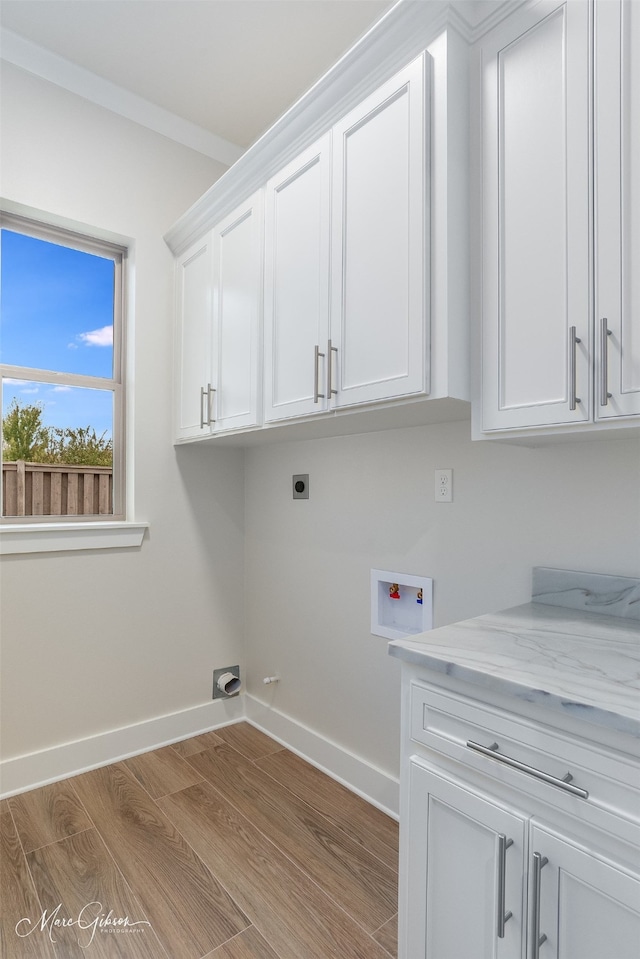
96,641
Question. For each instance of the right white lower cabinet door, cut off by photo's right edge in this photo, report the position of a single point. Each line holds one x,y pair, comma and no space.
587,906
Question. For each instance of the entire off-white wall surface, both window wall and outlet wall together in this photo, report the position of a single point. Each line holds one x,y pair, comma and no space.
95,642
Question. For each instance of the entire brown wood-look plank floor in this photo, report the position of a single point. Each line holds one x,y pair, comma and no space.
225,846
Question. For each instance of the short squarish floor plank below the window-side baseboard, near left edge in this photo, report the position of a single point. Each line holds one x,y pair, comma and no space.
47,814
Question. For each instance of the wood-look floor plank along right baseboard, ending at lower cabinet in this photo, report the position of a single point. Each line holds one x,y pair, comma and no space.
363,822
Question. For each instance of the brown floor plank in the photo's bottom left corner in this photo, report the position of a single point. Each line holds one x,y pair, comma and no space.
18,899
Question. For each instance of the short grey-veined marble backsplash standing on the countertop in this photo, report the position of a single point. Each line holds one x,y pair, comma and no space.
591,592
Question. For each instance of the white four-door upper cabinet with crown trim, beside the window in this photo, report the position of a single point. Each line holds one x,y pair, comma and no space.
356,317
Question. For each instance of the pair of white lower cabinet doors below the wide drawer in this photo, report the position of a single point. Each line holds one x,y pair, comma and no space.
487,882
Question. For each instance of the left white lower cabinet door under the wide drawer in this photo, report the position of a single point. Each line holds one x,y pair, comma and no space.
463,871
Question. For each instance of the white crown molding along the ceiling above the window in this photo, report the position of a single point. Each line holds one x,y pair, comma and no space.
63,73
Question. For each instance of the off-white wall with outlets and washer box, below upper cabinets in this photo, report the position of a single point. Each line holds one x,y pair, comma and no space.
371,504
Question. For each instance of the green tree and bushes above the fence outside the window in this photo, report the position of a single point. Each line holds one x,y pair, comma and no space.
25,438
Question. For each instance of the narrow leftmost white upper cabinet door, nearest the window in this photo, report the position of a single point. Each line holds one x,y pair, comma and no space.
194,274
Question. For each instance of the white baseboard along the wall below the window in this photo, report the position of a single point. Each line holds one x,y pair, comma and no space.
70,759
